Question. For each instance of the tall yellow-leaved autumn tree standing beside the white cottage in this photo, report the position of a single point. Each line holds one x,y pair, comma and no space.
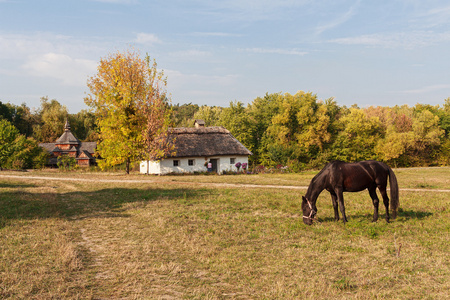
129,100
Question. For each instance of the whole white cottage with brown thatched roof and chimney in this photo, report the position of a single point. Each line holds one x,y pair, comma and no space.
196,147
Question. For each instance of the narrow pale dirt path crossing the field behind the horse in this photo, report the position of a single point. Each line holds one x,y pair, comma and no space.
225,185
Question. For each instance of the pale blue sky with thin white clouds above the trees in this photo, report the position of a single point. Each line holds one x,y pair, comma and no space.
369,53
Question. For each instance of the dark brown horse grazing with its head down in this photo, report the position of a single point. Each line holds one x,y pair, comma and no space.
338,177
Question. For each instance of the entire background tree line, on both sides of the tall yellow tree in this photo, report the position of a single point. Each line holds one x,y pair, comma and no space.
282,130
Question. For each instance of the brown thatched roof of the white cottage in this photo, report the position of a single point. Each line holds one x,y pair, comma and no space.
205,141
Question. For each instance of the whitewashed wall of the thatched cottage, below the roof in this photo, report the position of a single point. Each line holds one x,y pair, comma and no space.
166,166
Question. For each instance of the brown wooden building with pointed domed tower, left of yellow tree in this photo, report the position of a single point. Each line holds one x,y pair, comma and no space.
68,144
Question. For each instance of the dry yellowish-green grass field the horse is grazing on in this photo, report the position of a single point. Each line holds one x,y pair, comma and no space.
110,236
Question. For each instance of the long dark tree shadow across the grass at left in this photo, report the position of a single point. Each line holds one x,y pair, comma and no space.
105,203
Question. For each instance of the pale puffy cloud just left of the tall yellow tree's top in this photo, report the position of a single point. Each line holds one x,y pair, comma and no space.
70,71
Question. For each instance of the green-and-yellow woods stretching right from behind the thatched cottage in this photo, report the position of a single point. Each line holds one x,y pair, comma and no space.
301,132
